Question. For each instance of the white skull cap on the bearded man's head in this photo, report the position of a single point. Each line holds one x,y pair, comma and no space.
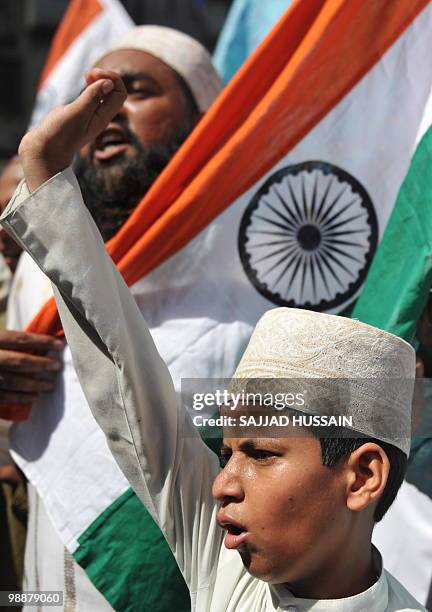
180,52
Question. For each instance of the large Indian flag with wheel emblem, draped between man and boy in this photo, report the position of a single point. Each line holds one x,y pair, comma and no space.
280,196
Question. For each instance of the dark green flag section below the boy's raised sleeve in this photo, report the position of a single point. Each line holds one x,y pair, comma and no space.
122,550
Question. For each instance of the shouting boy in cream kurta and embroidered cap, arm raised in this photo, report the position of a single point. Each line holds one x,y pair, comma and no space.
296,513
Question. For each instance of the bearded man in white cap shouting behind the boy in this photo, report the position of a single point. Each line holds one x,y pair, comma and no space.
170,83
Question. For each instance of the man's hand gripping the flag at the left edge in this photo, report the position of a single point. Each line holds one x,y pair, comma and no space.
25,369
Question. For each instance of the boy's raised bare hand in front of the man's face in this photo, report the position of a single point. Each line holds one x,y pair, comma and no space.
50,147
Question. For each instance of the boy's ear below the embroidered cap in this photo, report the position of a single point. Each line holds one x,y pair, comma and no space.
368,469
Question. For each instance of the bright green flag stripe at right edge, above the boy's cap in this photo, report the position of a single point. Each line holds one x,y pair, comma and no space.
398,282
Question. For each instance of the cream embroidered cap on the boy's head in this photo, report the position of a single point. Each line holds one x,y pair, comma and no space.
369,372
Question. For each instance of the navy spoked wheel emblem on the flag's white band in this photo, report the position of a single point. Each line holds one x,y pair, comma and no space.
308,236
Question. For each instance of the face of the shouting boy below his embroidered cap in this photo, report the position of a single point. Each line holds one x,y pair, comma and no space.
284,511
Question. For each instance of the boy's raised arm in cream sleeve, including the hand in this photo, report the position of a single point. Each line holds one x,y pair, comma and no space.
127,384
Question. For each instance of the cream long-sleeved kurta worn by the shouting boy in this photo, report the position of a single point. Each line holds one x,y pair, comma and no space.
131,394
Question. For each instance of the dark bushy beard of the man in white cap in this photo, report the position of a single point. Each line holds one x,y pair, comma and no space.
113,189
